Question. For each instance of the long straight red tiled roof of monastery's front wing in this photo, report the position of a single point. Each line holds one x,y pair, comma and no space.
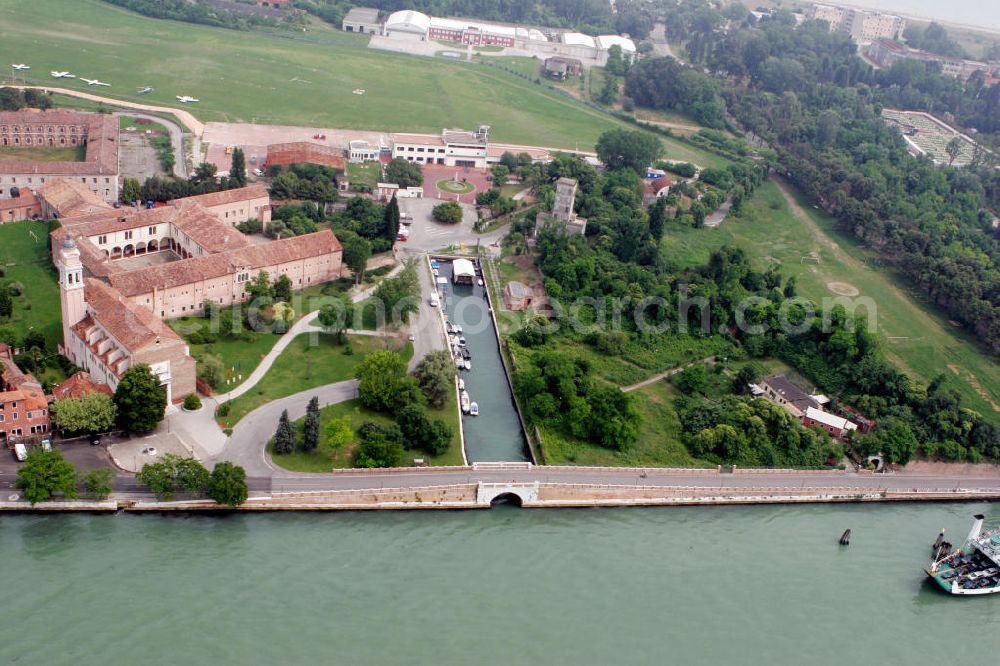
195,269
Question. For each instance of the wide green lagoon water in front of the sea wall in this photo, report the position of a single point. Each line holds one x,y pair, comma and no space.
711,585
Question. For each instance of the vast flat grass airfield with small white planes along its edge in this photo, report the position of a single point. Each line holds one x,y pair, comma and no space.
303,79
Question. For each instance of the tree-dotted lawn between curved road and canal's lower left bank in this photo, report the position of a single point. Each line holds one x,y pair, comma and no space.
326,458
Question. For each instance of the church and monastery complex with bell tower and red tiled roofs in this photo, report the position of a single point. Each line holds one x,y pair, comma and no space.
123,271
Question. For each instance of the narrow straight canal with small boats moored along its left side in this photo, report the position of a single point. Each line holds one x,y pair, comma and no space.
494,435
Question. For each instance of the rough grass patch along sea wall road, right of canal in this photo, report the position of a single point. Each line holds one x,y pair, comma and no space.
659,443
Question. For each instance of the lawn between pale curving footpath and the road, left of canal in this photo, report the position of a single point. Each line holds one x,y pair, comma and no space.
304,365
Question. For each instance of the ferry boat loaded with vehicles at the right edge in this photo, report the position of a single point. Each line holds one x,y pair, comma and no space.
974,567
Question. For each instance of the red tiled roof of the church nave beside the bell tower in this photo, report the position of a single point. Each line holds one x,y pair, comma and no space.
134,326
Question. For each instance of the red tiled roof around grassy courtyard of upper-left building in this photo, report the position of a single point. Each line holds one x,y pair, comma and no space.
102,143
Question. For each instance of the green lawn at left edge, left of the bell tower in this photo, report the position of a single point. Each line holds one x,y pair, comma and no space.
26,260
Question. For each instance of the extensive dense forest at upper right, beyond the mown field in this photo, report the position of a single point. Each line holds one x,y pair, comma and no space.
805,91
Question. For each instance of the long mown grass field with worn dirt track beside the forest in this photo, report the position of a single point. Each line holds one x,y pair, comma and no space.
914,336
